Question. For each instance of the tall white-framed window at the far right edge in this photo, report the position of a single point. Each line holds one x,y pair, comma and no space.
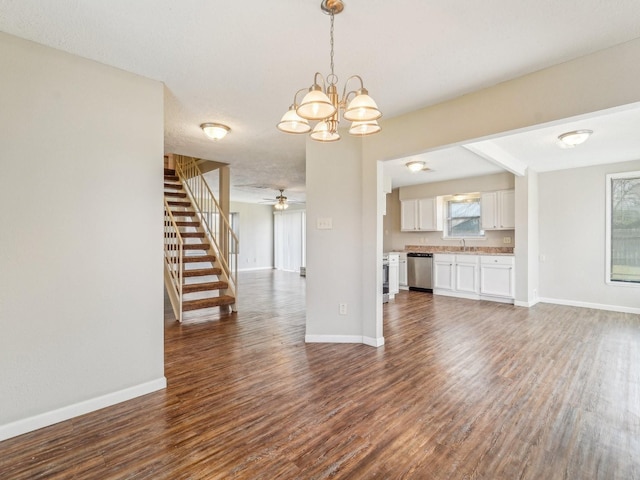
623,228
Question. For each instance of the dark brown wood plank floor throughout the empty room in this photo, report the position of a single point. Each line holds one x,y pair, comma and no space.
462,390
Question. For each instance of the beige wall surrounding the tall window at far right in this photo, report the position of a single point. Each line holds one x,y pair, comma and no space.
572,238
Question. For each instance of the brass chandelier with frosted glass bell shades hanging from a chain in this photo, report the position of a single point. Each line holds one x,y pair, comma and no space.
323,105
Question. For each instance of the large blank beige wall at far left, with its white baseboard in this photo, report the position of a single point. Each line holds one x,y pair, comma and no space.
81,290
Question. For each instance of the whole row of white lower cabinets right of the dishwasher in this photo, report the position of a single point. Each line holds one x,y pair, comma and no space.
486,277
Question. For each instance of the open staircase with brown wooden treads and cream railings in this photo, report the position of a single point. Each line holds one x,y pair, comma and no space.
196,275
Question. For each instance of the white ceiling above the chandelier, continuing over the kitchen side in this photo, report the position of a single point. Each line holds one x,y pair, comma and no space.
239,63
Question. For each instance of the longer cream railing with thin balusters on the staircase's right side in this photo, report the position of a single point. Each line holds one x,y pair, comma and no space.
216,224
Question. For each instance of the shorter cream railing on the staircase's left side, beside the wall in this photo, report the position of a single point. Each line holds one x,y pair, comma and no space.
173,249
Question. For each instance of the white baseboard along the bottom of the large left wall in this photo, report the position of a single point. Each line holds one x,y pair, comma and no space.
30,424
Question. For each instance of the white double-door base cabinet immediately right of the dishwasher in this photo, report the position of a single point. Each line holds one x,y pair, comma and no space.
456,275
